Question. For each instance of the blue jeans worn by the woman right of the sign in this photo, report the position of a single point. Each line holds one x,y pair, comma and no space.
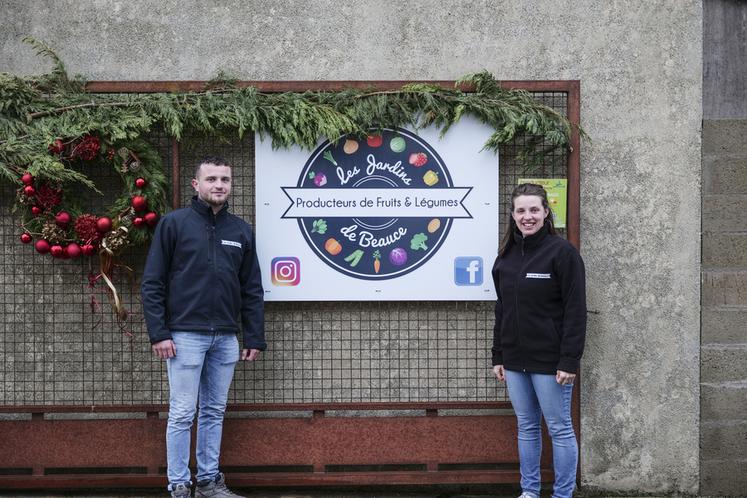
534,396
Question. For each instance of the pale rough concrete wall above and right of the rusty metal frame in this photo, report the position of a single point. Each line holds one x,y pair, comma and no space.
640,67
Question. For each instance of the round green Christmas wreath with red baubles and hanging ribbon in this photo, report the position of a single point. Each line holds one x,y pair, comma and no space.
57,224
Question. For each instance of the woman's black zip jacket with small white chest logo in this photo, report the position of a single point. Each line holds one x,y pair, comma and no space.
540,314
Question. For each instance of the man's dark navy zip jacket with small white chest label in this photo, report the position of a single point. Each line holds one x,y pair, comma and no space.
202,275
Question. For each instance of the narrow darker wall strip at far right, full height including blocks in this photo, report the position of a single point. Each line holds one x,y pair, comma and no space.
724,315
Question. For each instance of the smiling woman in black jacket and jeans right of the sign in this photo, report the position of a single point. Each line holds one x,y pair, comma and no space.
540,326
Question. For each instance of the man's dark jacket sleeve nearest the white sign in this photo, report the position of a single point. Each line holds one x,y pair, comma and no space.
252,298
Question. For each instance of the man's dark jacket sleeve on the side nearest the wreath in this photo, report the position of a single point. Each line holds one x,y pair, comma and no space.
154,285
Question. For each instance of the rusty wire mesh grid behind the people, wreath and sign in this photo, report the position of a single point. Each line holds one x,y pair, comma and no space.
60,343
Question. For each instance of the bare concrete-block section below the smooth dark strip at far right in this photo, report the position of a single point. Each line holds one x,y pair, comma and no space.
723,438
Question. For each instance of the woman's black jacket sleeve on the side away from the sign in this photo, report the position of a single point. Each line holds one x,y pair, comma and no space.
573,294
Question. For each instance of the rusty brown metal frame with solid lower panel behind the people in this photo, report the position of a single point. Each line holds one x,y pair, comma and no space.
432,447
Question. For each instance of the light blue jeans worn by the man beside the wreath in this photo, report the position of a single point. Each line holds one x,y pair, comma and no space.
202,369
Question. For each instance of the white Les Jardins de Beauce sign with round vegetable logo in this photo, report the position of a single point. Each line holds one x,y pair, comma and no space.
397,216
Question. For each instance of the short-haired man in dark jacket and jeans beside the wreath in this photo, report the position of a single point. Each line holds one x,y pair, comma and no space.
201,274
